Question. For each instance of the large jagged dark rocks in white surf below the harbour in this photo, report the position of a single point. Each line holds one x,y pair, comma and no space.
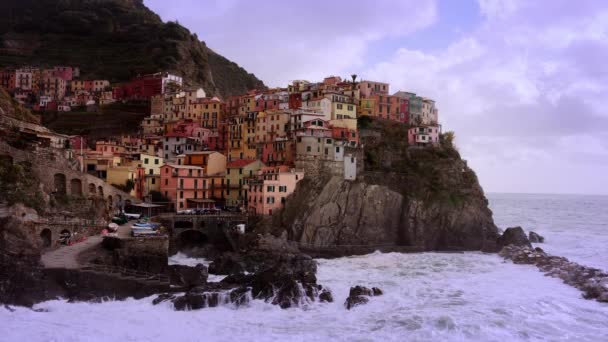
286,280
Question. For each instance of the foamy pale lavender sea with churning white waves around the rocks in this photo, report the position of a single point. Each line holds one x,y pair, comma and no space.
427,296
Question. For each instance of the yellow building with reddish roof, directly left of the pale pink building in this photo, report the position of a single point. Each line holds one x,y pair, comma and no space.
236,173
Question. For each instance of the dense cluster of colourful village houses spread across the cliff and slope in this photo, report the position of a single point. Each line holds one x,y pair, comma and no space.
246,153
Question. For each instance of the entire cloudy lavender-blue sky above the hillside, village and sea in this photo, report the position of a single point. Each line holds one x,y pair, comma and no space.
523,84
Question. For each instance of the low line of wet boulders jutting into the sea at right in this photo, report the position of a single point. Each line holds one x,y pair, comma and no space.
592,282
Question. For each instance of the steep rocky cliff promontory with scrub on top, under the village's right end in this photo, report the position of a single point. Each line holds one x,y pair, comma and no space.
424,198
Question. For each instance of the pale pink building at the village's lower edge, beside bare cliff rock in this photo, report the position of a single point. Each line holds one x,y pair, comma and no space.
268,190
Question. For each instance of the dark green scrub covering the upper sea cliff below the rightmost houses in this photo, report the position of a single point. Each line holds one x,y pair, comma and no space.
432,174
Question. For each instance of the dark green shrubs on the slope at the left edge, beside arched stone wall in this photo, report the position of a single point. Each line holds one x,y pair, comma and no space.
19,185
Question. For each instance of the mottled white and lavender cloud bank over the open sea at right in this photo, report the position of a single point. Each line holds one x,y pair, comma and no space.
525,93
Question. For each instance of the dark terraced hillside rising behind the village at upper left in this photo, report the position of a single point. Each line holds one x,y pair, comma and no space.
114,39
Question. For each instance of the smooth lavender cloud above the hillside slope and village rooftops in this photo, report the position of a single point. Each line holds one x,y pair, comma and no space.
281,41
